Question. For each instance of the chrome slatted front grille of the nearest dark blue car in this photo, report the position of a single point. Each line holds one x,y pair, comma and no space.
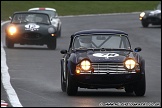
109,68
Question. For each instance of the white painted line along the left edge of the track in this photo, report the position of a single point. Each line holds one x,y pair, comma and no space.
5,78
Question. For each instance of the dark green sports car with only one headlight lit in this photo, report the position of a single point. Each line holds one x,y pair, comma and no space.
30,28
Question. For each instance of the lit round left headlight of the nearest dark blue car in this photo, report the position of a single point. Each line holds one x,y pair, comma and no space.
85,65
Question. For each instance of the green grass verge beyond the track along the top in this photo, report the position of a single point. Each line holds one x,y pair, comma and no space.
78,7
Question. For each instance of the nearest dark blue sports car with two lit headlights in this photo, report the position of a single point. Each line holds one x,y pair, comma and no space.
102,58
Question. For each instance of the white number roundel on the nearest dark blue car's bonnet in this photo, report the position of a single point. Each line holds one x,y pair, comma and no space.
106,55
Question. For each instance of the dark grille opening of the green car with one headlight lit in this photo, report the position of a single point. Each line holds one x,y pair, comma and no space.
32,36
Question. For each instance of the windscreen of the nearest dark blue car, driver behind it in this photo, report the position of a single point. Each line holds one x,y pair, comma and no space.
101,41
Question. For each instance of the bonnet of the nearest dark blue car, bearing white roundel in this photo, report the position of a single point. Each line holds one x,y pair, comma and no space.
103,56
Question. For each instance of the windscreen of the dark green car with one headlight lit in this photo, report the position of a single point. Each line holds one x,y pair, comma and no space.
27,18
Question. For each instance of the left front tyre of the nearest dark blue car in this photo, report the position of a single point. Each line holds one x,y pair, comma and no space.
71,86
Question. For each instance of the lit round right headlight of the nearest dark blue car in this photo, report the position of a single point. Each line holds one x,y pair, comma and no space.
130,64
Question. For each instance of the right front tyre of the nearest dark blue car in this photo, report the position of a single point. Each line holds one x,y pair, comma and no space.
140,86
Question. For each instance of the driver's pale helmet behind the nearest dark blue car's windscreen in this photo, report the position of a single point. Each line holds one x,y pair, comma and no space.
85,41
